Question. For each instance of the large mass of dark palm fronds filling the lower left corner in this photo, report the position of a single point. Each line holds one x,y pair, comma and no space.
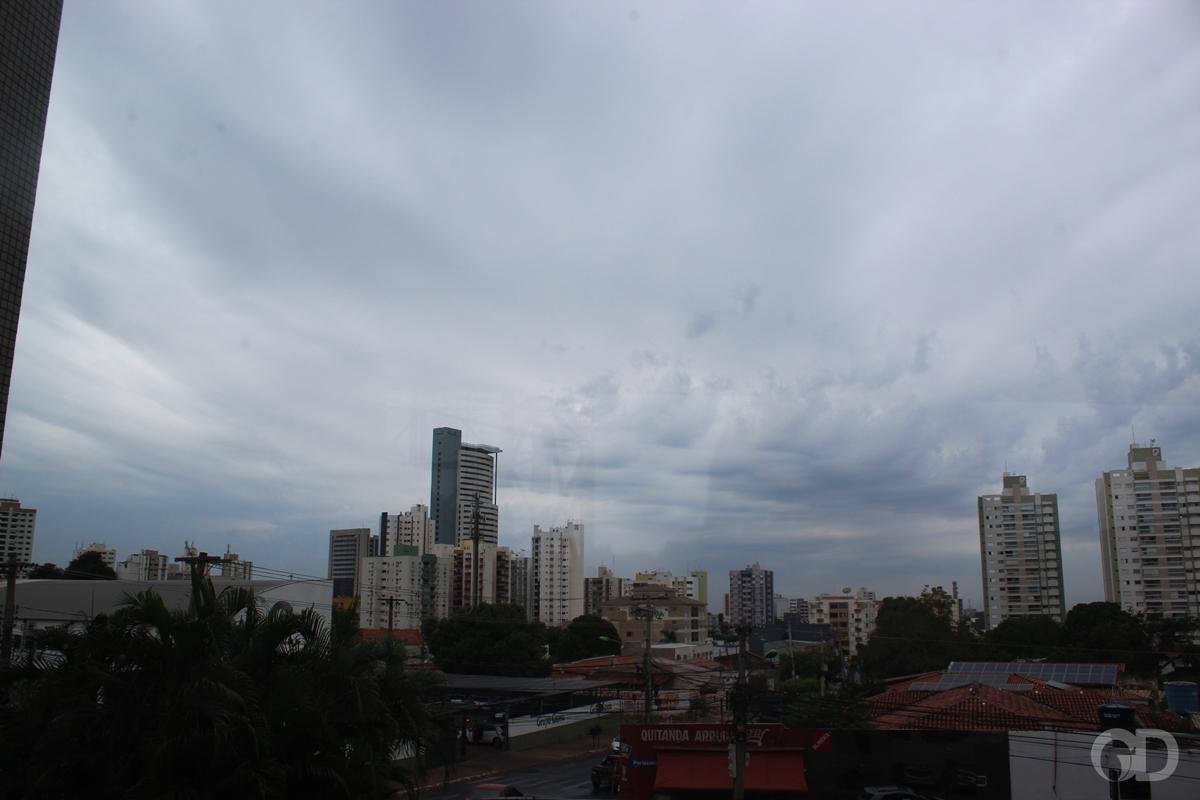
219,701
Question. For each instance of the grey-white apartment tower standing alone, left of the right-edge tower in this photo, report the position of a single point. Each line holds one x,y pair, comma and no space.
1021,551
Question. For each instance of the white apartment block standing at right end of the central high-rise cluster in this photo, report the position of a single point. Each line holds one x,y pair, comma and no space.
556,568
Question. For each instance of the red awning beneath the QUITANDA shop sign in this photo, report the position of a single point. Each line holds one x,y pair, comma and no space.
770,771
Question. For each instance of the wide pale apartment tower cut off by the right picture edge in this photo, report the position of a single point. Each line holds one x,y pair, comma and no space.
1149,515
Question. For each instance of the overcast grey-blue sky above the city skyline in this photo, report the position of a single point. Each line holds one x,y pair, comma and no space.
789,285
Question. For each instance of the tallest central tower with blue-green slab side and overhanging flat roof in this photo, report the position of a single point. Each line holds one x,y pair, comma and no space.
461,472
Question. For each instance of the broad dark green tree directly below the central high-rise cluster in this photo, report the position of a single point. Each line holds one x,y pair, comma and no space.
489,641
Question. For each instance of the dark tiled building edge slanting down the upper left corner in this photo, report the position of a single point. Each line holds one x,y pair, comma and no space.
29,39
